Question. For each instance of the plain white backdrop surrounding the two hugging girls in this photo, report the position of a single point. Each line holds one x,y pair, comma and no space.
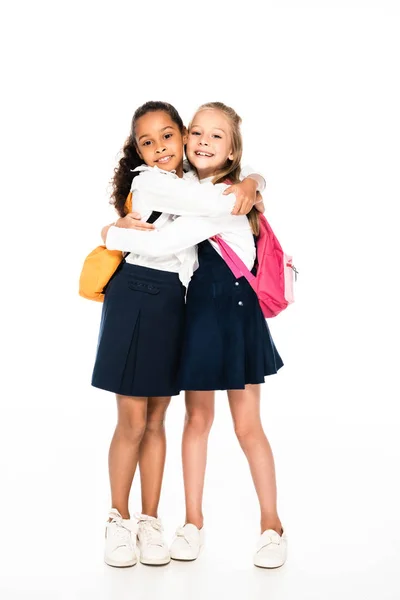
317,86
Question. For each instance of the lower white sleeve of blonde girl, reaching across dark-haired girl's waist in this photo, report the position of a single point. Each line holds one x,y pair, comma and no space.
183,233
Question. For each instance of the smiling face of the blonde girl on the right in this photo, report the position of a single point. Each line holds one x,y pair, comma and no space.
209,143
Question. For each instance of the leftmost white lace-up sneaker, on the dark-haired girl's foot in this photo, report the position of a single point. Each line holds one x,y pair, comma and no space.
120,541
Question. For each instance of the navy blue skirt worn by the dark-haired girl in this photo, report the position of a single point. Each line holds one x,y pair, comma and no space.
141,333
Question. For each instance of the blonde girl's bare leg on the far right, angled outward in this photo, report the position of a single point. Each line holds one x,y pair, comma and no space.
245,410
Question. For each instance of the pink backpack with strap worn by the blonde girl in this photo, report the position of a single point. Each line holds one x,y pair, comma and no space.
273,282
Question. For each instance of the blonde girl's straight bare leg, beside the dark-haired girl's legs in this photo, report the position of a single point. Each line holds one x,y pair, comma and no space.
198,420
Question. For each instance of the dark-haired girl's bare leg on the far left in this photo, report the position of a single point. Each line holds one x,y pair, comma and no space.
124,449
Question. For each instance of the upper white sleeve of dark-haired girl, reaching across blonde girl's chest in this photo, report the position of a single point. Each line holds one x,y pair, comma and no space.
165,193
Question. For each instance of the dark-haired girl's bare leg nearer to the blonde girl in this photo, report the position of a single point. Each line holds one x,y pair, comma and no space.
152,455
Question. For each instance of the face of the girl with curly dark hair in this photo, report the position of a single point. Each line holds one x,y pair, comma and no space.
159,141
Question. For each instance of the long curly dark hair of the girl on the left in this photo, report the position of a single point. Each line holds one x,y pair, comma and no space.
130,159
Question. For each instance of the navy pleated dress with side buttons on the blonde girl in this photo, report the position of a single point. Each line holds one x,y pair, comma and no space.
227,342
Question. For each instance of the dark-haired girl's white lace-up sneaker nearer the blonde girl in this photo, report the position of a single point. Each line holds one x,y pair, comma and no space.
150,541
